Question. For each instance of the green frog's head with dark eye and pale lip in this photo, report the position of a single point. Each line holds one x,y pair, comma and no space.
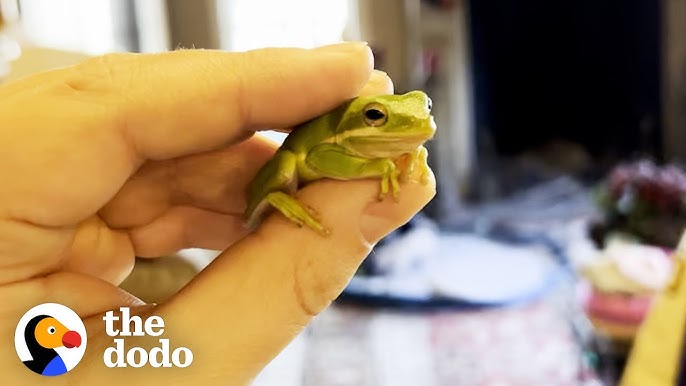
383,126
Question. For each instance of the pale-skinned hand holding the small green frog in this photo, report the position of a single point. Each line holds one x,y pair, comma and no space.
143,155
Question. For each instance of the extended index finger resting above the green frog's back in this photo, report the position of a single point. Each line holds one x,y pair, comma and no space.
217,97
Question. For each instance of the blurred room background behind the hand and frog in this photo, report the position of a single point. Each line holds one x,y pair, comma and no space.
559,156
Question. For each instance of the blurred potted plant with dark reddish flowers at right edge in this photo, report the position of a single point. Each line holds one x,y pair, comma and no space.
643,214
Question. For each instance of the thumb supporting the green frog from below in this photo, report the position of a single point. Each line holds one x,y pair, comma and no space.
259,294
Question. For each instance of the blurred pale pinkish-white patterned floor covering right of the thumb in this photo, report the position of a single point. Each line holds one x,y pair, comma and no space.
529,345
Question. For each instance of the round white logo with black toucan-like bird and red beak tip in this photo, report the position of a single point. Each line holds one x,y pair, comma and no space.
50,339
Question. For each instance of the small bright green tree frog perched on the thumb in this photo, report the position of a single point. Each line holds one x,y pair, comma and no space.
367,137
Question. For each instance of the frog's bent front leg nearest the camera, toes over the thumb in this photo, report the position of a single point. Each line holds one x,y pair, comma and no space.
333,161
